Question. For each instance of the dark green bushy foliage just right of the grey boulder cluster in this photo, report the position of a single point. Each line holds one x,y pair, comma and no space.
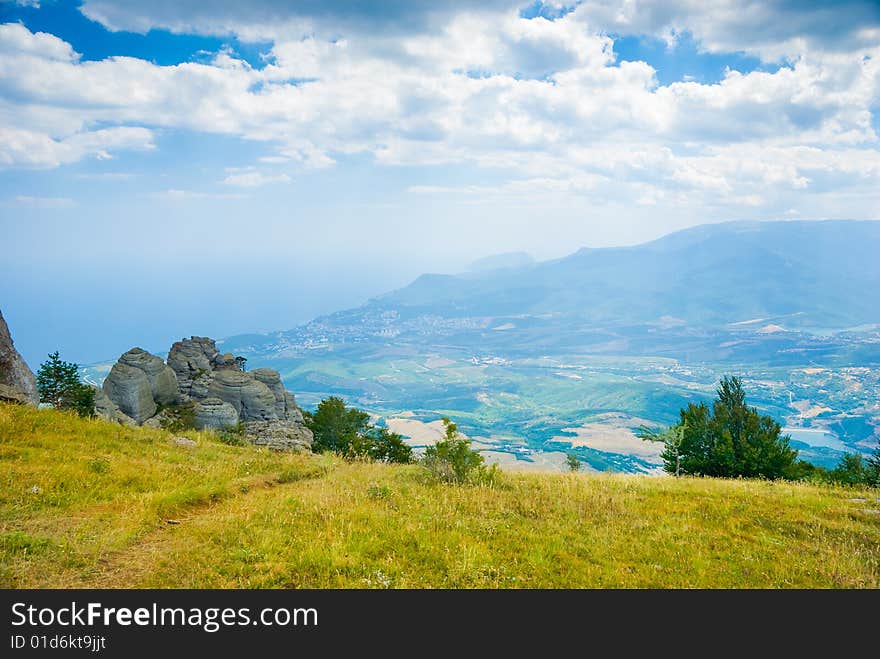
348,431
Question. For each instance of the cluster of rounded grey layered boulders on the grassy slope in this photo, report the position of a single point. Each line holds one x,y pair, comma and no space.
210,386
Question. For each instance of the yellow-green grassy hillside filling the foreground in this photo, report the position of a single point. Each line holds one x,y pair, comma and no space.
84,503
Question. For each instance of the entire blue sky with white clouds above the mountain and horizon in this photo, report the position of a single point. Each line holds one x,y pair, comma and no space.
173,168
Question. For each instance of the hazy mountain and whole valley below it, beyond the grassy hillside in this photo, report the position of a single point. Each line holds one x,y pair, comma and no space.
535,360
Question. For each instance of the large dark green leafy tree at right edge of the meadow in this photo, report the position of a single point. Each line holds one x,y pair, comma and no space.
729,439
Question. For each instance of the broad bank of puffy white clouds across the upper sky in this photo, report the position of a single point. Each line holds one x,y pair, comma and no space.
545,101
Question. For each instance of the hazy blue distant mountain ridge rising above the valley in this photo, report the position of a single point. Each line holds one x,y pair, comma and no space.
820,274
